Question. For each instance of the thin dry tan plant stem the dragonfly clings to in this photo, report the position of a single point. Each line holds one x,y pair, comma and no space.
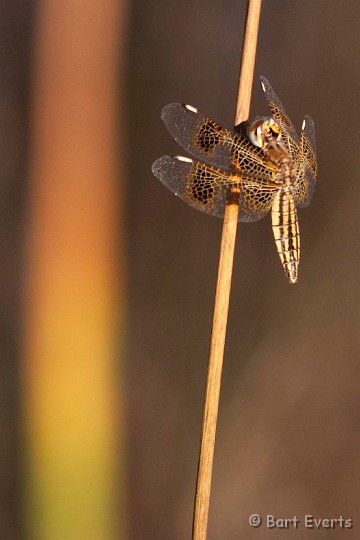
212,393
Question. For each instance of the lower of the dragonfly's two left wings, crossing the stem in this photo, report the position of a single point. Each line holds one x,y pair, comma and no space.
206,188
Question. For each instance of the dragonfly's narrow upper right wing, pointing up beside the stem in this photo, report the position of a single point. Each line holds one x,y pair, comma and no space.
289,134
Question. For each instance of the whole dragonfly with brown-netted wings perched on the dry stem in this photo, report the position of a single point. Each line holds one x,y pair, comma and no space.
266,166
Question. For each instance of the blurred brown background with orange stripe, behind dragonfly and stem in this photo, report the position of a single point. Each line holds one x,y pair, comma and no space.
107,279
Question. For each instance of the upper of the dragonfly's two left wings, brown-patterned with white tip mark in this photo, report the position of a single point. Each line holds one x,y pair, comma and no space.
207,141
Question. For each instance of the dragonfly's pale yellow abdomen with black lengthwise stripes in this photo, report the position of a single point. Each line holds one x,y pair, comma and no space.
286,232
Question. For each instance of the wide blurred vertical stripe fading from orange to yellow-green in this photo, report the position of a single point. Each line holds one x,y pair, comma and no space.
71,320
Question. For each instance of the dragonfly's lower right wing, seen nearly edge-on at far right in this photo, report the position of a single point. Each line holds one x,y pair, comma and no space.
306,164
